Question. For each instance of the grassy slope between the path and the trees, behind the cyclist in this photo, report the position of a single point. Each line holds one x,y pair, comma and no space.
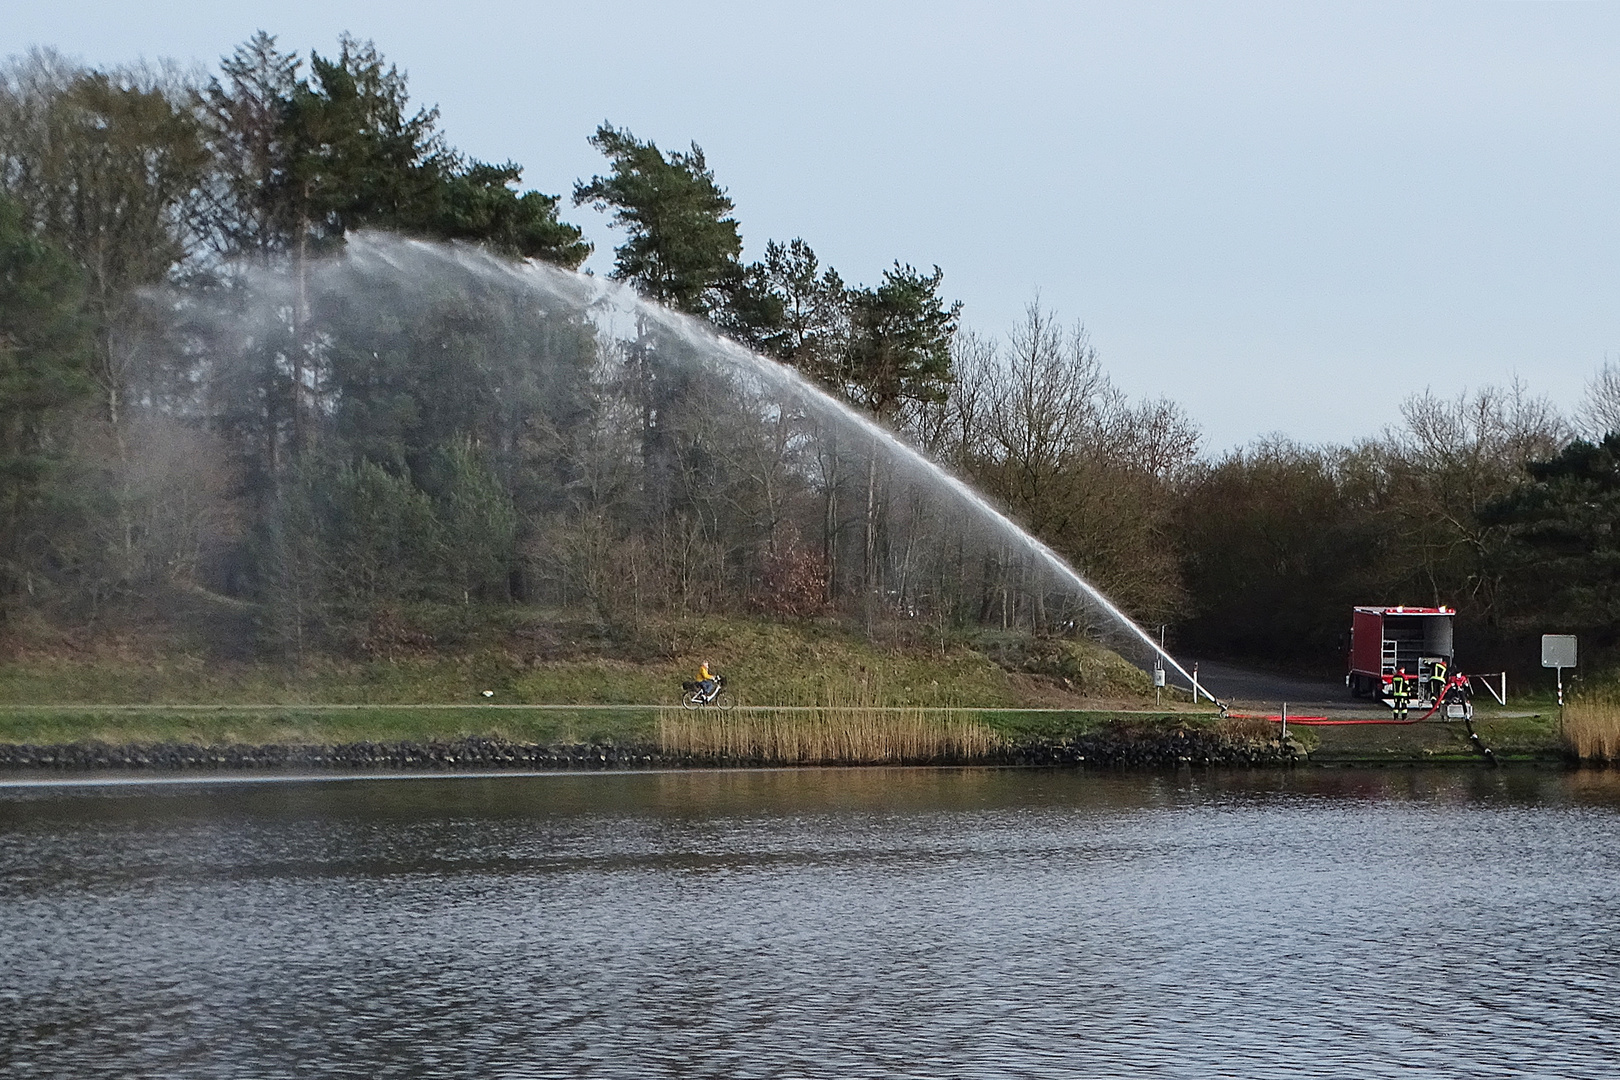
550,660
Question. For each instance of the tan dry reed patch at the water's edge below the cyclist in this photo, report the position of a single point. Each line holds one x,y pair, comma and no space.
827,736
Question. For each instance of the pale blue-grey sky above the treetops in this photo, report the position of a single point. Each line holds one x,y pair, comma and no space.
1285,216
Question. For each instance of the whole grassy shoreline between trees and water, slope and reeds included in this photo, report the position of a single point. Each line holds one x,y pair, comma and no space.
812,692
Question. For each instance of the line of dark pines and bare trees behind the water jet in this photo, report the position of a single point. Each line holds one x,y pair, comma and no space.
364,466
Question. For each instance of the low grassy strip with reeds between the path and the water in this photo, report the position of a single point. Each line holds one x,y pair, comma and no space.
853,734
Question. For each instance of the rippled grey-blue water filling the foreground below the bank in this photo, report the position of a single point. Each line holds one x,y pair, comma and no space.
821,924
